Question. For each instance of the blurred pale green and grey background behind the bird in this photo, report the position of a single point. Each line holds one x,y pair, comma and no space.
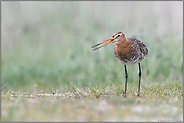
47,45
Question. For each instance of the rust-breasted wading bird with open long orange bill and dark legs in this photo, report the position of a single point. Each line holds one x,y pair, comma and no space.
128,51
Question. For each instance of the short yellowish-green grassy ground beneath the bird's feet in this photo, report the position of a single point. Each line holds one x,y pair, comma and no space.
156,103
